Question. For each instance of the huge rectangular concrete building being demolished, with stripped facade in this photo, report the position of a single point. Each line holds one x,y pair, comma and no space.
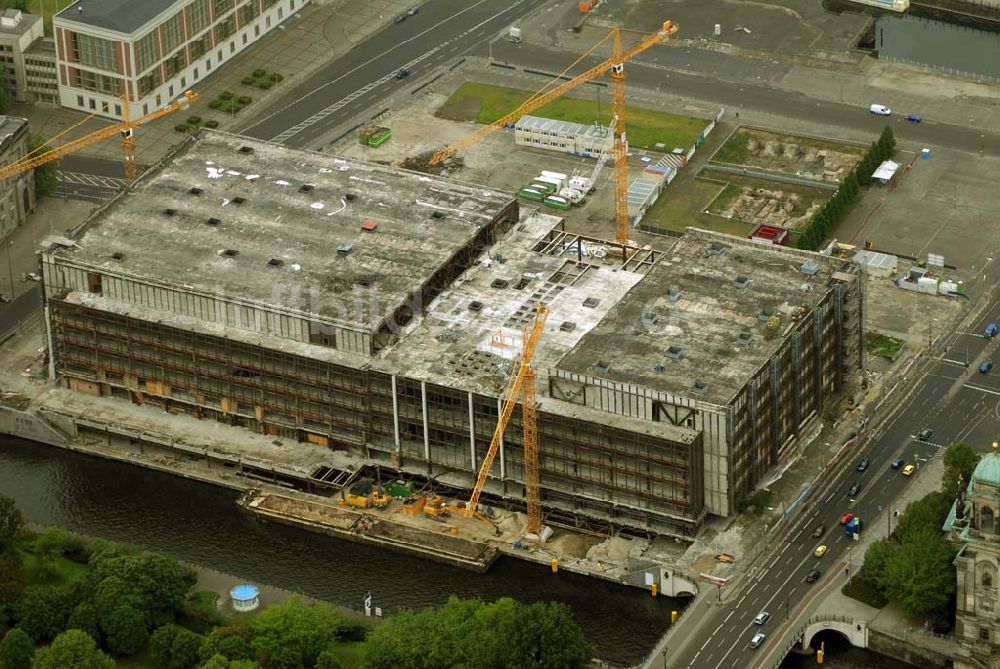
379,311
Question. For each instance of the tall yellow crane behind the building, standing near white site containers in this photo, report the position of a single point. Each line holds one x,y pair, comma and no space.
619,149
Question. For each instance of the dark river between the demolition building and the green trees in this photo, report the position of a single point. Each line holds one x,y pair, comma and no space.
201,524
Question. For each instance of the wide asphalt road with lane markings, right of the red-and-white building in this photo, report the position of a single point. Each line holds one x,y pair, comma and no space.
359,82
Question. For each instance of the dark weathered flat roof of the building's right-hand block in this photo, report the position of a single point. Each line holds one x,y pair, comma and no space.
705,318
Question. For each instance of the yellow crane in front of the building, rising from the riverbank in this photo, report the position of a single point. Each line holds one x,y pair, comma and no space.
521,385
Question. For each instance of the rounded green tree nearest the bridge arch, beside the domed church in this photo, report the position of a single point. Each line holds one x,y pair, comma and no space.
921,577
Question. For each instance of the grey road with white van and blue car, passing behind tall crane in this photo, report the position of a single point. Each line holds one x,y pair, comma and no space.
662,68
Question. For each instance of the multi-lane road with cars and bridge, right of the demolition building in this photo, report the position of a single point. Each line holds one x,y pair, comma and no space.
953,399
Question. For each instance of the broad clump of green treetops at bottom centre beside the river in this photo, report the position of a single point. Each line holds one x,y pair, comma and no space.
470,633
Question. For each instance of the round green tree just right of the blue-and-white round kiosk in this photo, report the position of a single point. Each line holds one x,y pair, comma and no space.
294,633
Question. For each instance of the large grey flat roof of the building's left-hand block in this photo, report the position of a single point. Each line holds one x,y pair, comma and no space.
278,226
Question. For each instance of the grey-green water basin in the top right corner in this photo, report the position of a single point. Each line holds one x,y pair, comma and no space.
945,46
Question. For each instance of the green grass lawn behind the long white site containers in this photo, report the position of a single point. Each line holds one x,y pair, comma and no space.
645,128
